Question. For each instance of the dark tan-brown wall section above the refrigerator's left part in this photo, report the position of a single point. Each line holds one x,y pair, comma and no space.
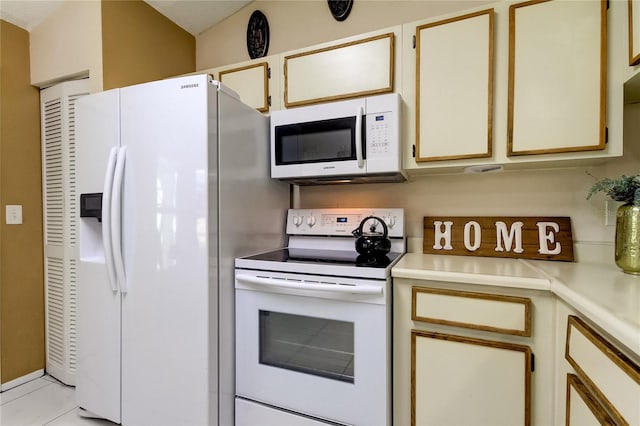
139,45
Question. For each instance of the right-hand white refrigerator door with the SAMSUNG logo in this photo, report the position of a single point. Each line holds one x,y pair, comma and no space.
167,323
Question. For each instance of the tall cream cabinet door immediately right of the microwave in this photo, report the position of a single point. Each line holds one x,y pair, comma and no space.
454,88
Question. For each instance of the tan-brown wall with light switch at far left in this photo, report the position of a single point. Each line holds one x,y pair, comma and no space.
21,270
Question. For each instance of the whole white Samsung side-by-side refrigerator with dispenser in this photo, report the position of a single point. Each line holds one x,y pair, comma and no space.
174,183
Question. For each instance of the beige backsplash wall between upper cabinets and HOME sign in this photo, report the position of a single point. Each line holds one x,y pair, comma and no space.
551,192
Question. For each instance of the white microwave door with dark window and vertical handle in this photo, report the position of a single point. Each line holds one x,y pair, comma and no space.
317,141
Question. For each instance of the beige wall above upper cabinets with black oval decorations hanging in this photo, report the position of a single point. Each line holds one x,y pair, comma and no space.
301,23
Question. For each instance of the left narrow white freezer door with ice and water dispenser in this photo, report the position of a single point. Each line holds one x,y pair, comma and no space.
98,301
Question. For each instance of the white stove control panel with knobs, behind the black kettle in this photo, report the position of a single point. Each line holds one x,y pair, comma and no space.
340,222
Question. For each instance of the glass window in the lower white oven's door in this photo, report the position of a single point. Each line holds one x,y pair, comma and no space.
317,346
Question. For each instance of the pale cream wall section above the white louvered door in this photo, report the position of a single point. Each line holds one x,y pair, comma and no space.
68,44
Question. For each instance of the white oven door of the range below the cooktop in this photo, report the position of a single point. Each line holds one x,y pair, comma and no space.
316,352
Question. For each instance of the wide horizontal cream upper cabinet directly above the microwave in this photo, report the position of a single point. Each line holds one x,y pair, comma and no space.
353,67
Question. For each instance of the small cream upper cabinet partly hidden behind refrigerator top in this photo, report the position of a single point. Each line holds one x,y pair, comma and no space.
257,82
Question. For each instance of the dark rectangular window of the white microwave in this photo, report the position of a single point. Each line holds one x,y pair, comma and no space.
317,141
